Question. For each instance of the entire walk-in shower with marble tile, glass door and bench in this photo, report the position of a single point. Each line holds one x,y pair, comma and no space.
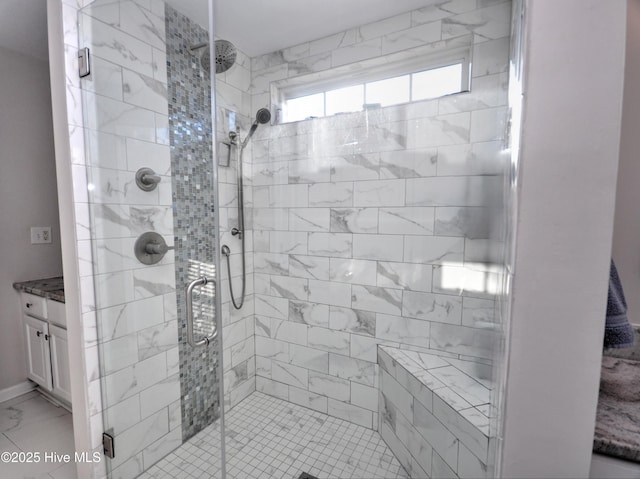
360,303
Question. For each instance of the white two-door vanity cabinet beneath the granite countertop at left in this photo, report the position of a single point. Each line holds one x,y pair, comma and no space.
47,347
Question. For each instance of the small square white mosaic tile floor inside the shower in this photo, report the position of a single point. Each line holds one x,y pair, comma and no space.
271,438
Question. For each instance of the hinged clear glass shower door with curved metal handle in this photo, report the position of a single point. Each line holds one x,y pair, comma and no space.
147,107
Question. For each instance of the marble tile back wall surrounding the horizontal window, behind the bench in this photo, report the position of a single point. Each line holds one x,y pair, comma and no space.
378,227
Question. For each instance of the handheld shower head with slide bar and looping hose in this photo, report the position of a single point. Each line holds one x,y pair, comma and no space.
262,116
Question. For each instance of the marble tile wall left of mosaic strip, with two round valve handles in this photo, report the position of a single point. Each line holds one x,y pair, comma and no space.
133,313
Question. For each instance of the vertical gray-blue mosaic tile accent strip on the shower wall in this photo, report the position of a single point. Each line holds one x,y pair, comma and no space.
191,140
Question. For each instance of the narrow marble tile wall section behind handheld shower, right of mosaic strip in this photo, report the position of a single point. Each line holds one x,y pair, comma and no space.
233,113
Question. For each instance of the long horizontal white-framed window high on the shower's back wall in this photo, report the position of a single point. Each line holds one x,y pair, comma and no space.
384,81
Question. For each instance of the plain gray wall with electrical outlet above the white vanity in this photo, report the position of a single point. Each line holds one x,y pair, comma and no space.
28,196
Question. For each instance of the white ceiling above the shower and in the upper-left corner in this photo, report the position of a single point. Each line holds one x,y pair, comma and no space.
254,26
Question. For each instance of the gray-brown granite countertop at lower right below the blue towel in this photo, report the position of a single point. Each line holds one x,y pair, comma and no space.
618,416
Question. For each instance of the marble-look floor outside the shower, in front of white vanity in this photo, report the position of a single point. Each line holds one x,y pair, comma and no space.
30,423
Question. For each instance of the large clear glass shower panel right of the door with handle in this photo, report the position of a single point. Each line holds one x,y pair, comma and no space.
369,336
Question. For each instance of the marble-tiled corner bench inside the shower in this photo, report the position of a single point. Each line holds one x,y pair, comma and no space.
434,413
